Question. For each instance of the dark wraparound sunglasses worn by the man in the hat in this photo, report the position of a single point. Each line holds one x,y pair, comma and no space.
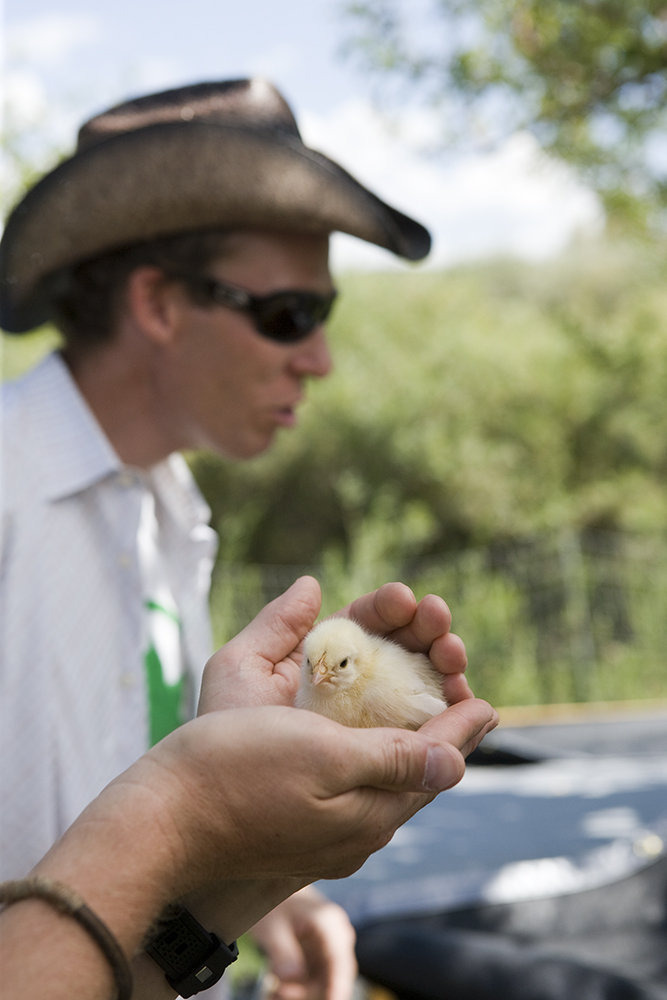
287,316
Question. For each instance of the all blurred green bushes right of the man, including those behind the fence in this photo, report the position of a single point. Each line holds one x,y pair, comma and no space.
495,434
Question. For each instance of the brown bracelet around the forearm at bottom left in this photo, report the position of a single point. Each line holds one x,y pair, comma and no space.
68,902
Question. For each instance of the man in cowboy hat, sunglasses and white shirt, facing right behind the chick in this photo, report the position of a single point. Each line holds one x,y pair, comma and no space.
183,252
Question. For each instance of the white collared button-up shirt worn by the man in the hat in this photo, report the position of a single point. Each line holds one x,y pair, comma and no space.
73,711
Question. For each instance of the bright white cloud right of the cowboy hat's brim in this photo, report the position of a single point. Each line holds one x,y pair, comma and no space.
513,199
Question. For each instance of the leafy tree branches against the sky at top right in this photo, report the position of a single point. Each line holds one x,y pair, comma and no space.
587,77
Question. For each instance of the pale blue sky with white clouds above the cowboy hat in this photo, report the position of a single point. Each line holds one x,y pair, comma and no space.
65,60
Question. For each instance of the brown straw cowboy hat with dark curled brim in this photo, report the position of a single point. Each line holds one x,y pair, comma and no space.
224,155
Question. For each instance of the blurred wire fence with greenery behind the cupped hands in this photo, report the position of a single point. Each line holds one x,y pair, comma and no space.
565,618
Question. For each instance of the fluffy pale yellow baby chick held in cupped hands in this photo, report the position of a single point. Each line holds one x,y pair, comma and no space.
361,679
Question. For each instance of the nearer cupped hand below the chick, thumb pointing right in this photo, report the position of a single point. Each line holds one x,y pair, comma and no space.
275,792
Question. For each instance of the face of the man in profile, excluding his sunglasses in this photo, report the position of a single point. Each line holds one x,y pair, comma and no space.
226,387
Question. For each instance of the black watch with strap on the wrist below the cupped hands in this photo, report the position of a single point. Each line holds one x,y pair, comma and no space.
191,957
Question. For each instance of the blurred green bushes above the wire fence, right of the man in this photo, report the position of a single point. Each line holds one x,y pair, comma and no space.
468,408
